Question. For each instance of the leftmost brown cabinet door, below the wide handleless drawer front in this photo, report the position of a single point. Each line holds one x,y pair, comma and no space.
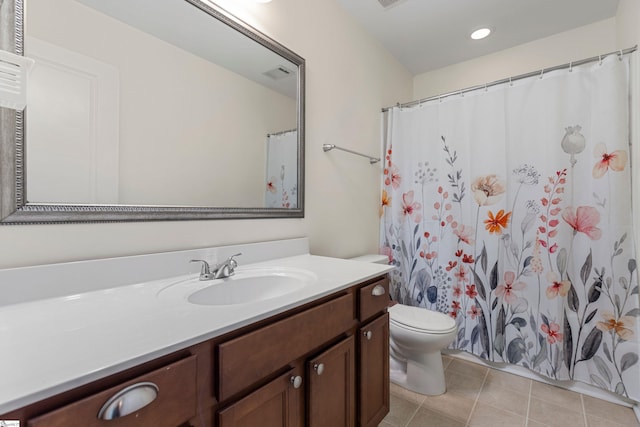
278,403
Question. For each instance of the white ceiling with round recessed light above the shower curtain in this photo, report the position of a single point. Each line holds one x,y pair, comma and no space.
425,35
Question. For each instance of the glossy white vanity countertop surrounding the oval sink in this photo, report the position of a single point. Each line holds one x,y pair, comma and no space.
55,344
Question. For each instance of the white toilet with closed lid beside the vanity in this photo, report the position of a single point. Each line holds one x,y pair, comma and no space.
417,336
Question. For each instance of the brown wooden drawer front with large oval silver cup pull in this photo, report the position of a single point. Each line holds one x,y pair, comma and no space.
175,402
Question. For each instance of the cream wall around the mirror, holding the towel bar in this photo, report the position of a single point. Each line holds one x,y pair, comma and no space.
349,78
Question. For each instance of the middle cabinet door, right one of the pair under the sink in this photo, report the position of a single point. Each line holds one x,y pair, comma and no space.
331,386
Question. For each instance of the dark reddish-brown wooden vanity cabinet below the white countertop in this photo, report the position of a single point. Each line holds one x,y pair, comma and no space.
325,363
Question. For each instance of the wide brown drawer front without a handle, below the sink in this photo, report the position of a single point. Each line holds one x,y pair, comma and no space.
244,360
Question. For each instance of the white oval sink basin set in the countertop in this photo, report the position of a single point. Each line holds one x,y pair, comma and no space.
244,287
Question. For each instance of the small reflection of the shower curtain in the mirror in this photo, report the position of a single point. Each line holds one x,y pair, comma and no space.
282,170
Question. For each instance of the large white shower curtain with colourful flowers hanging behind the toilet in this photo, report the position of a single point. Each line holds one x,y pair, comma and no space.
509,209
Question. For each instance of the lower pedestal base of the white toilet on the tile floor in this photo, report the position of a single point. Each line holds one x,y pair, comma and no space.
424,376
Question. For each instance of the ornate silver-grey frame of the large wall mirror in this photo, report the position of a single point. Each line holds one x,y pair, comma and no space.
14,209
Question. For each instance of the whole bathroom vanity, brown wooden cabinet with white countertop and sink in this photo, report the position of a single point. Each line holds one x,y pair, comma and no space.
316,356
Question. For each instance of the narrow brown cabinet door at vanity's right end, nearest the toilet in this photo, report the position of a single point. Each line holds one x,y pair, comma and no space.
374,371
